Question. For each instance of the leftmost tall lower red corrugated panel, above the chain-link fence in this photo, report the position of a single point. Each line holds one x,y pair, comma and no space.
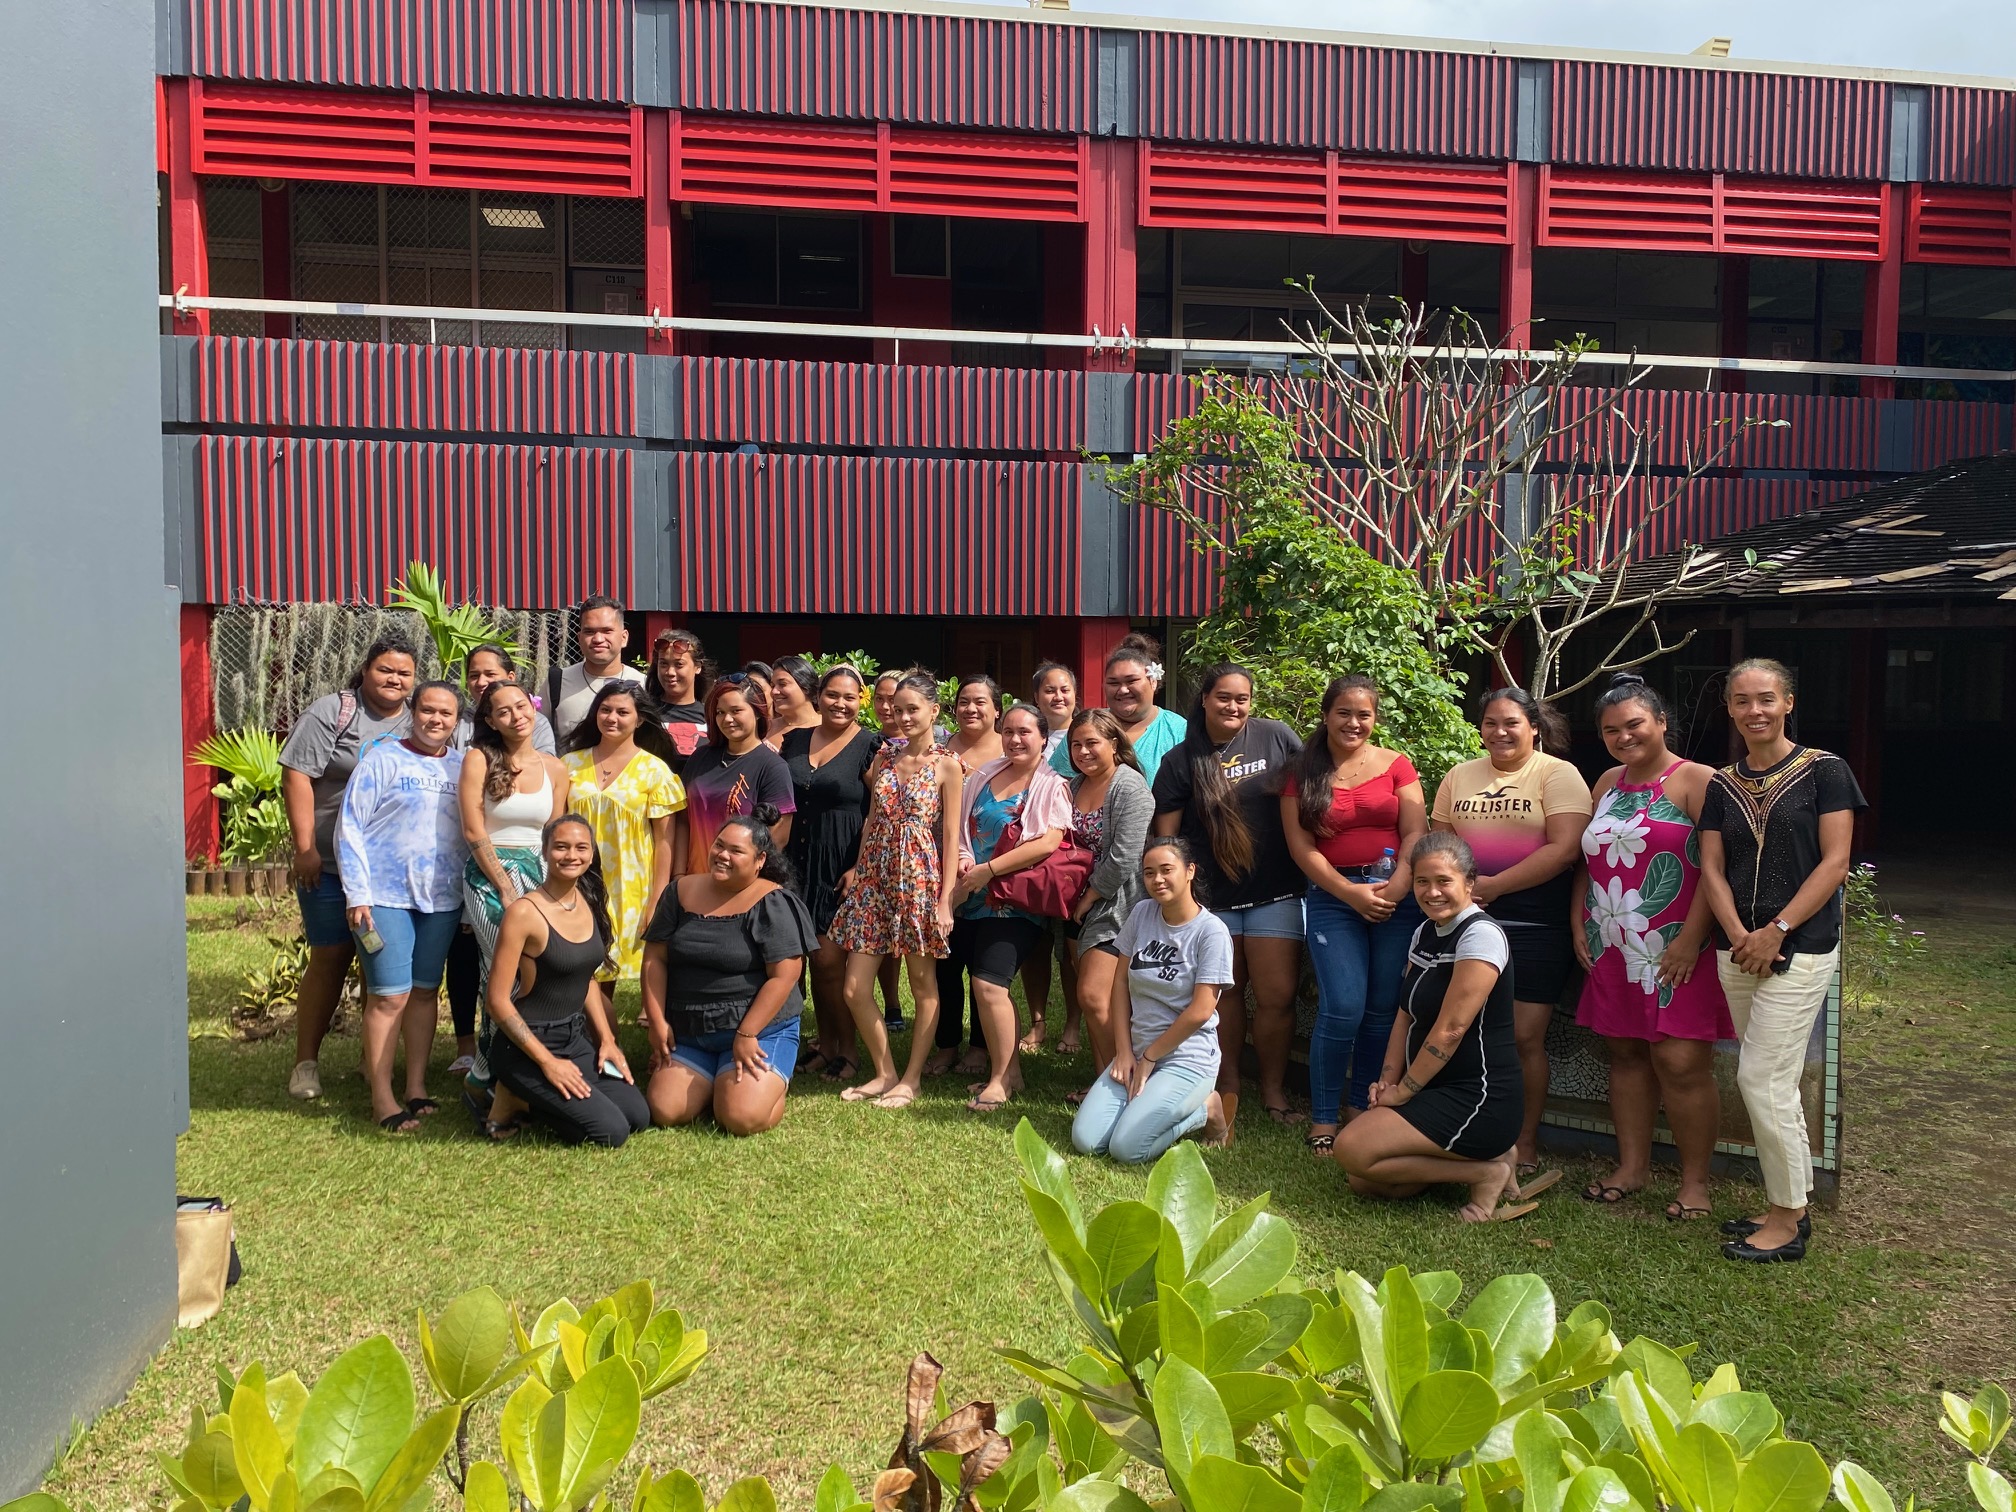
529,527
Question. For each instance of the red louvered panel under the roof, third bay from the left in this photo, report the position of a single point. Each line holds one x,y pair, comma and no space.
1328,195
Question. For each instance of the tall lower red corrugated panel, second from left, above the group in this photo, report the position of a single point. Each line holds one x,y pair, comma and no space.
817,535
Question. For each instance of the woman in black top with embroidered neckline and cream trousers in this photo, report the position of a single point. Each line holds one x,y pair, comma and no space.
1777,830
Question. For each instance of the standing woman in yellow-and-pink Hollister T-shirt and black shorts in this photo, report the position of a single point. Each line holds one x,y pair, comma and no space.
1523,811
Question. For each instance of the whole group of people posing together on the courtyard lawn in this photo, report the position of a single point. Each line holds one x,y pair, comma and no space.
725,840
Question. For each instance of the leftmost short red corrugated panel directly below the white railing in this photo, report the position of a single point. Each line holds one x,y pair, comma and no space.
368,386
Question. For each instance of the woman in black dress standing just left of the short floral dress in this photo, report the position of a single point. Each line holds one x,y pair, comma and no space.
828,767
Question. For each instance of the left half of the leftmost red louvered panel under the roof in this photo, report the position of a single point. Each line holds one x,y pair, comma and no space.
303,134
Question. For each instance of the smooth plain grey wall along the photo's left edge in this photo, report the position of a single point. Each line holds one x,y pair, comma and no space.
94,1007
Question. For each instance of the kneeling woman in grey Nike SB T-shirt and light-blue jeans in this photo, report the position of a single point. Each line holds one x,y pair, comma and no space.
1164,1021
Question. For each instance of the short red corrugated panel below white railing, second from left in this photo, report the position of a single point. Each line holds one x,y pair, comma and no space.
878,404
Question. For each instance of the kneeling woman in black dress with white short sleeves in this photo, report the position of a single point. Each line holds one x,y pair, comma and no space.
1448,1104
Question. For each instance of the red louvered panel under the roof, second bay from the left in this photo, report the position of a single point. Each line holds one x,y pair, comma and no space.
759,162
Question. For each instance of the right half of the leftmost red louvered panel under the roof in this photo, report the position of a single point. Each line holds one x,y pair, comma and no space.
485,146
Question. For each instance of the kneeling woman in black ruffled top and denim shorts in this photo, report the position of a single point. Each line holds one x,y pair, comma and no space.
721,983
